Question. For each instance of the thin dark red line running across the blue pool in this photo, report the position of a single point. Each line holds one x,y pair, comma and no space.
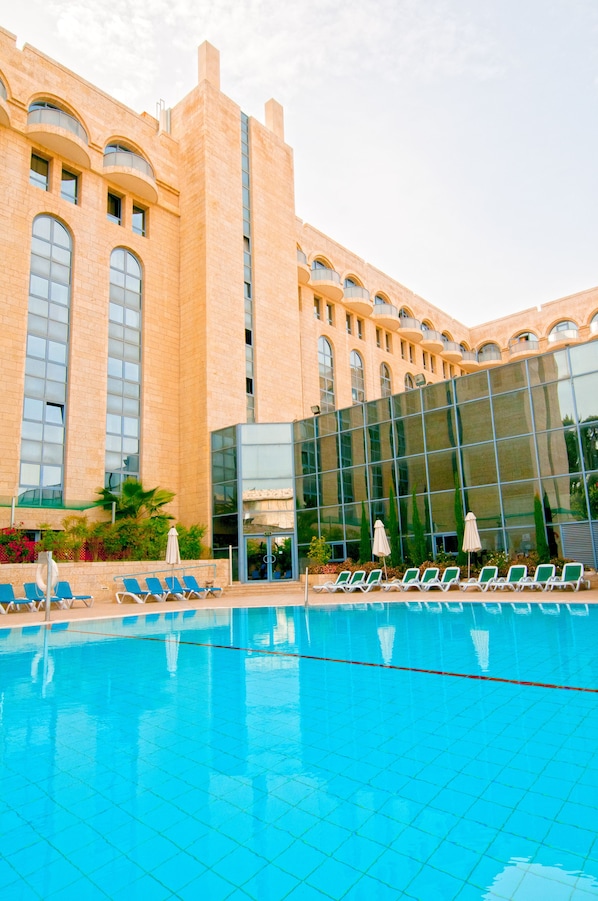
390,666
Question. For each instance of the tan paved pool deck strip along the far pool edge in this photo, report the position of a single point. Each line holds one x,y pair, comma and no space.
293,594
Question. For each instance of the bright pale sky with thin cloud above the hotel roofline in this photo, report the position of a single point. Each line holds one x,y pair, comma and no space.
451,143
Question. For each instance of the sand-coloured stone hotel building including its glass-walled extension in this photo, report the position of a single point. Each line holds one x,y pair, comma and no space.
166,316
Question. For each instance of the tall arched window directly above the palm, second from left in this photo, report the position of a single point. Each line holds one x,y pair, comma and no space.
124,369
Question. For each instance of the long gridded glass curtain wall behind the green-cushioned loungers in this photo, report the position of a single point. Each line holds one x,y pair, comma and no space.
495,441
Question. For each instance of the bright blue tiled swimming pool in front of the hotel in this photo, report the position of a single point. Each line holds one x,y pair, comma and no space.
380,752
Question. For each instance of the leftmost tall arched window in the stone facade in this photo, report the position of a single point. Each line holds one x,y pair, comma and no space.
41,479
